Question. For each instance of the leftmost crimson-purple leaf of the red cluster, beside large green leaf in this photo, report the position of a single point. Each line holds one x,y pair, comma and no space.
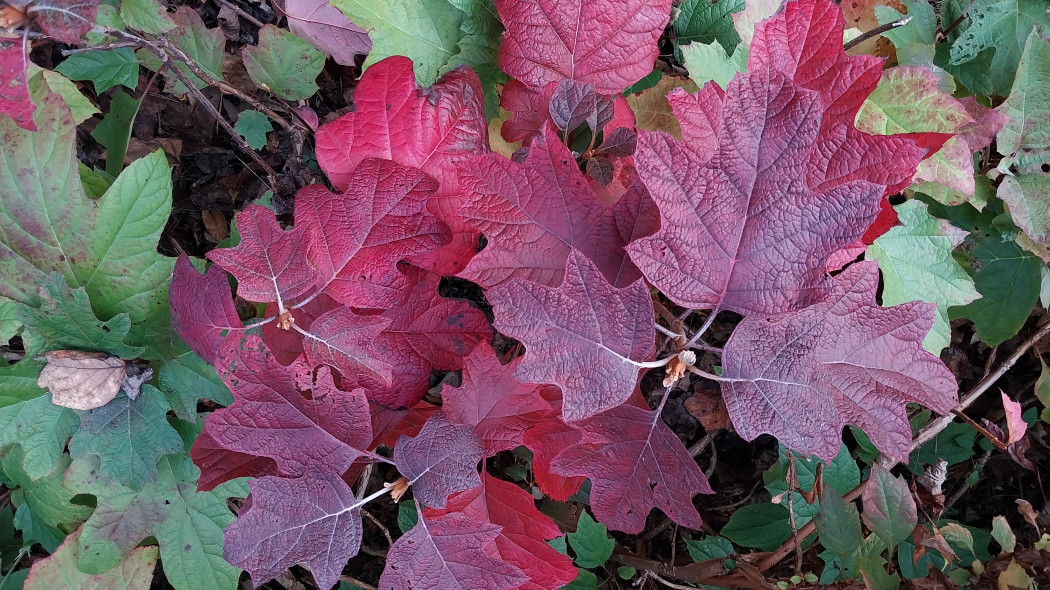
202,309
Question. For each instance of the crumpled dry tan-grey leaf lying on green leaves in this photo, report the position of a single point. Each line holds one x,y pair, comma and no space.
80,381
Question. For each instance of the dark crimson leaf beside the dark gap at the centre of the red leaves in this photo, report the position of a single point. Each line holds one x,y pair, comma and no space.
427,332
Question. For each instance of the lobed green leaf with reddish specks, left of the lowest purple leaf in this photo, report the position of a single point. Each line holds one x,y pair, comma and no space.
187,525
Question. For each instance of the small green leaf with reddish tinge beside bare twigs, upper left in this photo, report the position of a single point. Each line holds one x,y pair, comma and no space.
284,65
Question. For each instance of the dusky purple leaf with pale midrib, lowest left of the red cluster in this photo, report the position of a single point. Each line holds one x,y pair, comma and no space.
306,521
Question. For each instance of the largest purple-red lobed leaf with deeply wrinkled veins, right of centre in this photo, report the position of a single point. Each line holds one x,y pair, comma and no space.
744,231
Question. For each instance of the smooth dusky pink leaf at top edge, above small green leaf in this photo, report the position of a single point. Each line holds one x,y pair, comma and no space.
328,29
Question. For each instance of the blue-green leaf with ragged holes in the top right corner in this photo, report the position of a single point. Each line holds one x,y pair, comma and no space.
1002,27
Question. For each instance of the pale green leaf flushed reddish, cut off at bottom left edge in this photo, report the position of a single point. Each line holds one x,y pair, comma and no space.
134,573
